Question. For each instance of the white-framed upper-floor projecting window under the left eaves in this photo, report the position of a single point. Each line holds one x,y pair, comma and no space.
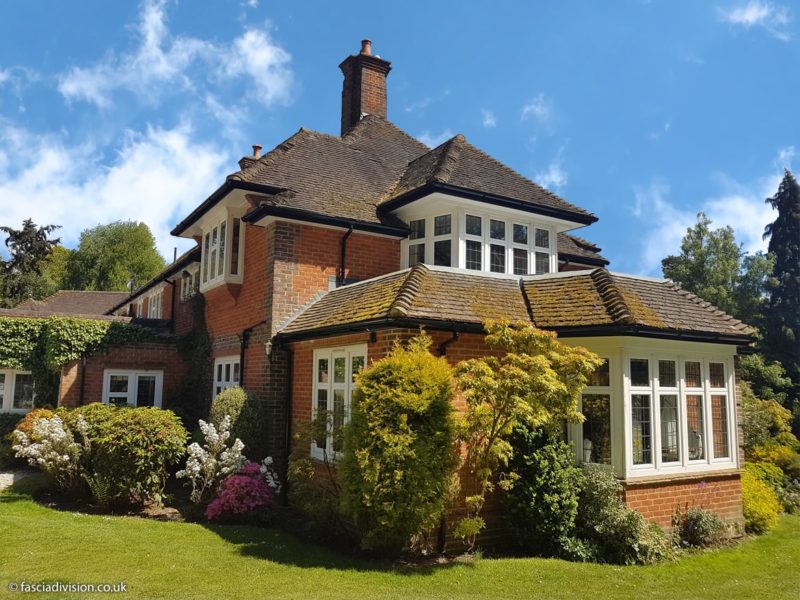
222,253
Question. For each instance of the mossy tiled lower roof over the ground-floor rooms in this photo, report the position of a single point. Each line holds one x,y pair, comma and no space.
565,302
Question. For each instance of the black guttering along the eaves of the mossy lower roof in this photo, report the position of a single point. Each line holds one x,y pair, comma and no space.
467,327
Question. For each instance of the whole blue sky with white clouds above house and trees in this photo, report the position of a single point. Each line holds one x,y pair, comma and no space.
644,112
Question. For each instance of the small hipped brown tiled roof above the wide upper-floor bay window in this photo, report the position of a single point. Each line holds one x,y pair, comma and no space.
458,163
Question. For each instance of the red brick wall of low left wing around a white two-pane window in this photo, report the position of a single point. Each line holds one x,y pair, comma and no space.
152,356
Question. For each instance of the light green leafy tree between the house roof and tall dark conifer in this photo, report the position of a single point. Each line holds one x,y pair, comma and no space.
712,265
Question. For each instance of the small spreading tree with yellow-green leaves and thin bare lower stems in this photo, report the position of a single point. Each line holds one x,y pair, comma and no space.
536,380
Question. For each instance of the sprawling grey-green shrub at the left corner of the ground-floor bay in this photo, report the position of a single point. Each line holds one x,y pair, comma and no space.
621,535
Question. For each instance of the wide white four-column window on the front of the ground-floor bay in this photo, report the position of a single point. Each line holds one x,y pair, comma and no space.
679,412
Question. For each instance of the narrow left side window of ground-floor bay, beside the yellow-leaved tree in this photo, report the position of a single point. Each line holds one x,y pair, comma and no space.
596,408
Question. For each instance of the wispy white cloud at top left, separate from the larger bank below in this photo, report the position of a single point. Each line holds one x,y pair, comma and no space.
162,63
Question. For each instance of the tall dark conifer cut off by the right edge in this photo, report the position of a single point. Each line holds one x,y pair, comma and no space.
782,322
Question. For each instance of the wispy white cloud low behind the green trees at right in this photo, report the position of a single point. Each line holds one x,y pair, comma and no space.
739,205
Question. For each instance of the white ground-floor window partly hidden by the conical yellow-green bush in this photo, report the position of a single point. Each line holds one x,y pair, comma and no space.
335,370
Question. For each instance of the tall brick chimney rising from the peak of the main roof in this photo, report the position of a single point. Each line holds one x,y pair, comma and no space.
364,88
